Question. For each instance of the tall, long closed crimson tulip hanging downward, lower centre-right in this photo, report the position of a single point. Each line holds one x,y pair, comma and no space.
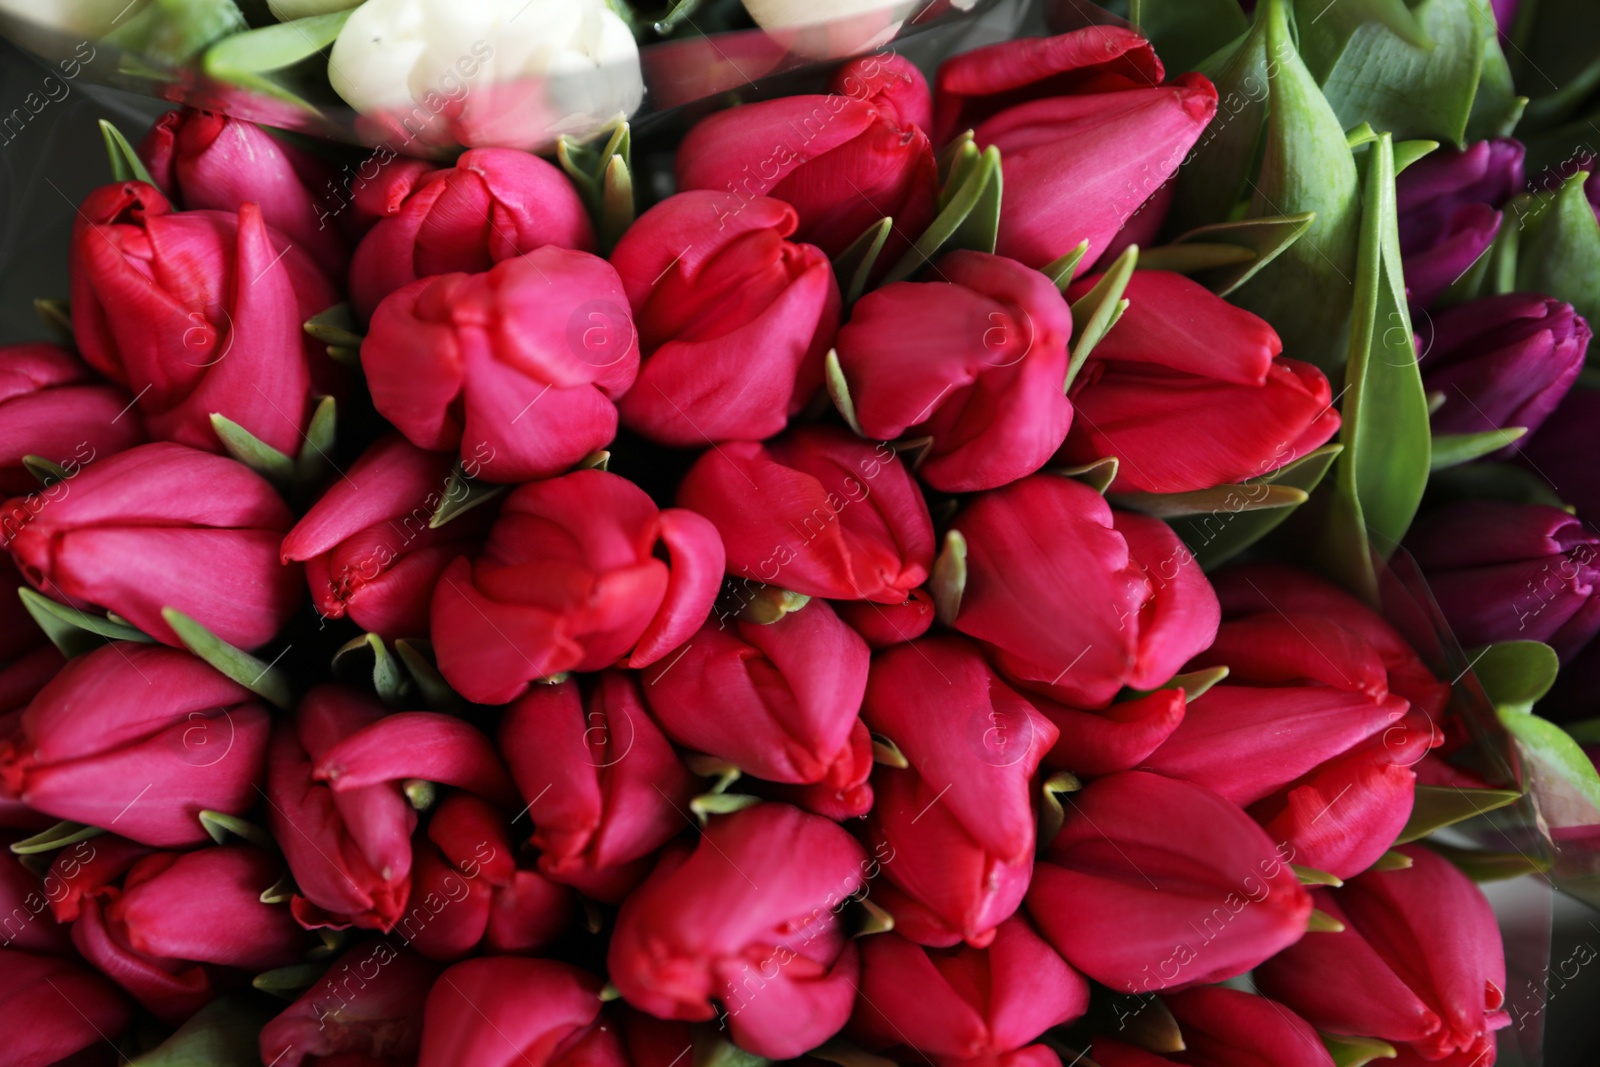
959,820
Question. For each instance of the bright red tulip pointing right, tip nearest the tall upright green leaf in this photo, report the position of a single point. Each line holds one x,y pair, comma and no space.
1190,393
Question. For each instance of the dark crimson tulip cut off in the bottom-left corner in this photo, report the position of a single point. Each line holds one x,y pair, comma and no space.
60,1005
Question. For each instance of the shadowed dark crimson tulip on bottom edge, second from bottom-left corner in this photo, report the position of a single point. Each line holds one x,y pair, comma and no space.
369,1004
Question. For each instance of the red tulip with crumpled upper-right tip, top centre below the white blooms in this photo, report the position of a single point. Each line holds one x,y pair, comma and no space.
844,159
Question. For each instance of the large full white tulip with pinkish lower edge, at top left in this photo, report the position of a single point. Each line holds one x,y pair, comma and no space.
494,73
